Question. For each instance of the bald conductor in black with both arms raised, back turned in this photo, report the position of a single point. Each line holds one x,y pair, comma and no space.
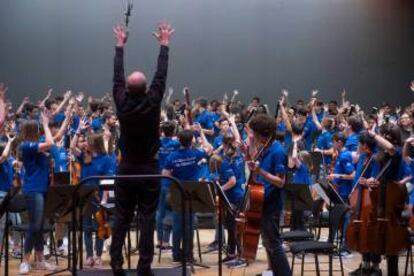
138,110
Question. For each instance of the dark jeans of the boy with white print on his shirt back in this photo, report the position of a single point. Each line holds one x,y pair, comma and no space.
178,236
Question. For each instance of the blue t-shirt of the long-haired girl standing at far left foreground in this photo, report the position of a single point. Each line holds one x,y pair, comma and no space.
36,167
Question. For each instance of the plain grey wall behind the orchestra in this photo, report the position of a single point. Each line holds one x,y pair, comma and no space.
255,46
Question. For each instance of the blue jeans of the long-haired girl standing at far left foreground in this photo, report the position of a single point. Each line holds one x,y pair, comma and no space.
35,207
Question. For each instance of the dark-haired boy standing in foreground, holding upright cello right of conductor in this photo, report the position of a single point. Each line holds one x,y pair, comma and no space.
271,171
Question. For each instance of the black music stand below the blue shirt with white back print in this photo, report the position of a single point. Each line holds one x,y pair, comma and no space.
200,200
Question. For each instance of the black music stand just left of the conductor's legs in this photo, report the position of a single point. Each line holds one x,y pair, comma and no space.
59,205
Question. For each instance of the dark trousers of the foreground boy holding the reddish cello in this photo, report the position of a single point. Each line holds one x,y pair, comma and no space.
273,244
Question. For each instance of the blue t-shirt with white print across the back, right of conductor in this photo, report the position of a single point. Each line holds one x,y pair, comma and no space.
184,163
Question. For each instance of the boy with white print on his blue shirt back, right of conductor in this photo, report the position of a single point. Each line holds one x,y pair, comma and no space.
183,164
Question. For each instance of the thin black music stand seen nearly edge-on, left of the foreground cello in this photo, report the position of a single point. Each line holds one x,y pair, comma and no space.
224,204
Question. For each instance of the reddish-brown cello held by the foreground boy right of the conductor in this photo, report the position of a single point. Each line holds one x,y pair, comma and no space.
249,217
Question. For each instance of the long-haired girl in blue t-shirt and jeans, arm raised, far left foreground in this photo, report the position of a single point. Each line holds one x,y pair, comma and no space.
35,186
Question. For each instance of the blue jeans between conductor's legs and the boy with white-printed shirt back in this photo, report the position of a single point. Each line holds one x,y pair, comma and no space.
163,213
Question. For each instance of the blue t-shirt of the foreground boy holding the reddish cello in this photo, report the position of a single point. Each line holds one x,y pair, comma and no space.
274,161
